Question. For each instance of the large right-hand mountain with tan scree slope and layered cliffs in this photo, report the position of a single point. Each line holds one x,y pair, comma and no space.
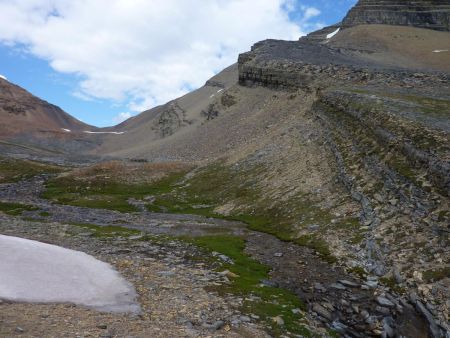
339,142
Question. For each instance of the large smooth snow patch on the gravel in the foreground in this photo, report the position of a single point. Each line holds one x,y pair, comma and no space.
36,272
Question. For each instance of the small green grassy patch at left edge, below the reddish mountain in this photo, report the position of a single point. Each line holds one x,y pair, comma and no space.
12,170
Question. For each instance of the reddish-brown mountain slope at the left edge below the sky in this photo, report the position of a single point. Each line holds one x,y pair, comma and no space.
32,126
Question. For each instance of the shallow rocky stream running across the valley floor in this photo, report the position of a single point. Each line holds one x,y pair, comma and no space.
350,306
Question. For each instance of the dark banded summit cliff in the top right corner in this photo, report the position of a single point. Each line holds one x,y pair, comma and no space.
433,14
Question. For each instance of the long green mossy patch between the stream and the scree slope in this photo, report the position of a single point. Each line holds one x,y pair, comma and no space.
200,194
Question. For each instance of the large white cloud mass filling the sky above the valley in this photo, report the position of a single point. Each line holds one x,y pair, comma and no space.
143,52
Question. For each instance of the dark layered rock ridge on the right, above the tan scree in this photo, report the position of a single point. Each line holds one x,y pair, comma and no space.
381,96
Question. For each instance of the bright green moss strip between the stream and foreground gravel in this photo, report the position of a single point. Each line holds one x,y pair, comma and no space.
246,275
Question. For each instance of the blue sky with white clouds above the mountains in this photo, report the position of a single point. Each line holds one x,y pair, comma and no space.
103,61
